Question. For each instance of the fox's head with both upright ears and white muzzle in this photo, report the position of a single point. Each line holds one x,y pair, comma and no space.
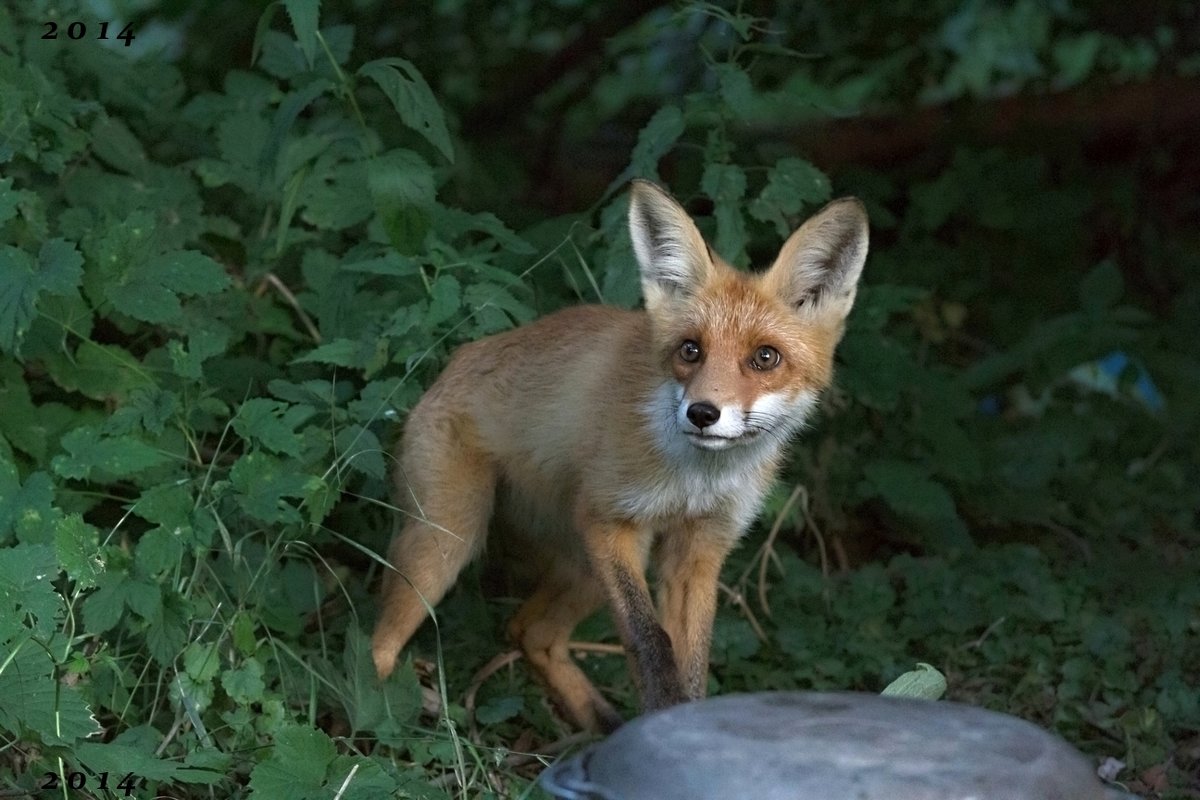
747,354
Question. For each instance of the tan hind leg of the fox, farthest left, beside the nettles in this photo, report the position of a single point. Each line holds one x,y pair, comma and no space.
446,486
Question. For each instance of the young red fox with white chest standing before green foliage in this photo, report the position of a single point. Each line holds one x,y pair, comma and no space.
596,440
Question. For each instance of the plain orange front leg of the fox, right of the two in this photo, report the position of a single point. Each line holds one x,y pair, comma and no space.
689,564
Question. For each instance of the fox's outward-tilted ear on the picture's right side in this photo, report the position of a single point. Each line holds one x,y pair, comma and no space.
818,269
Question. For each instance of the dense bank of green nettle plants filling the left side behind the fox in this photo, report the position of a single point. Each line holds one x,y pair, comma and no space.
213,310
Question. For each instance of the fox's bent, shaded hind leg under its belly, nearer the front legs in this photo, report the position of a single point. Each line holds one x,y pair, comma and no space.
543,629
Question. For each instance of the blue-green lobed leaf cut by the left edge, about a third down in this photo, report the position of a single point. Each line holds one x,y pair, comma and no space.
58,270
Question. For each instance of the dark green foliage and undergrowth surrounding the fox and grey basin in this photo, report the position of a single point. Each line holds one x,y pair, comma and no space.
233,254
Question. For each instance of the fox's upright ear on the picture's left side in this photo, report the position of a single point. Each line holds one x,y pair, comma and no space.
671,254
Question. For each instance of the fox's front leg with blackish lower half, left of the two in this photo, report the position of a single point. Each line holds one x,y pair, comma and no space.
619,554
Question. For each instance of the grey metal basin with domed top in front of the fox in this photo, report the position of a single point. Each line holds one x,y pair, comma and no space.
827,747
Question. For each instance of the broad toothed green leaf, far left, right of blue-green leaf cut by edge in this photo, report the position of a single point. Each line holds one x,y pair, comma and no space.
148,291
